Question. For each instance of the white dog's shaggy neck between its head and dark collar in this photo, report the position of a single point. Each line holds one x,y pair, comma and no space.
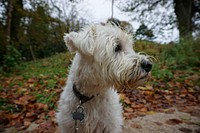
86,83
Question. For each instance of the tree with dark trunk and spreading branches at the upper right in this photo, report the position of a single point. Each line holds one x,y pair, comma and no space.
165,14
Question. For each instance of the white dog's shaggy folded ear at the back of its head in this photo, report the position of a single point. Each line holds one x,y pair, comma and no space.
83,42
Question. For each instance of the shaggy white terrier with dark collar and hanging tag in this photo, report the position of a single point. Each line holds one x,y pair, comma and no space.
104,62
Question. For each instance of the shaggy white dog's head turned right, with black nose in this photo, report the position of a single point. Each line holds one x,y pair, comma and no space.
109,54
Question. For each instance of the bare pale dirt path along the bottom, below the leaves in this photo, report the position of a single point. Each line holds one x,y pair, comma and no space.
171,122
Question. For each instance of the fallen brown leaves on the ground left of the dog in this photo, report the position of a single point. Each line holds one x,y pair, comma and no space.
20,106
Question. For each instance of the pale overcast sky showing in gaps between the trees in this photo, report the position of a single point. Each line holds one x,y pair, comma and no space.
100,10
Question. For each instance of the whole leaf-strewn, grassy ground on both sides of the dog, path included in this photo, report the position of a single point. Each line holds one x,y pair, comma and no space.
168,103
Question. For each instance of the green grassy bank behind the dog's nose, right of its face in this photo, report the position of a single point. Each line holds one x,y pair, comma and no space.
183,55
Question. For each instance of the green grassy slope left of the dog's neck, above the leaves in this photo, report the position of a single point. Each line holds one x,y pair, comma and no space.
49,67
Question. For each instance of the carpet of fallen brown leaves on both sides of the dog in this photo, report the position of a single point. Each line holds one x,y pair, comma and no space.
34,100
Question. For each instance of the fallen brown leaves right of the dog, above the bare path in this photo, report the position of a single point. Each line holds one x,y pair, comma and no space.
160,96
